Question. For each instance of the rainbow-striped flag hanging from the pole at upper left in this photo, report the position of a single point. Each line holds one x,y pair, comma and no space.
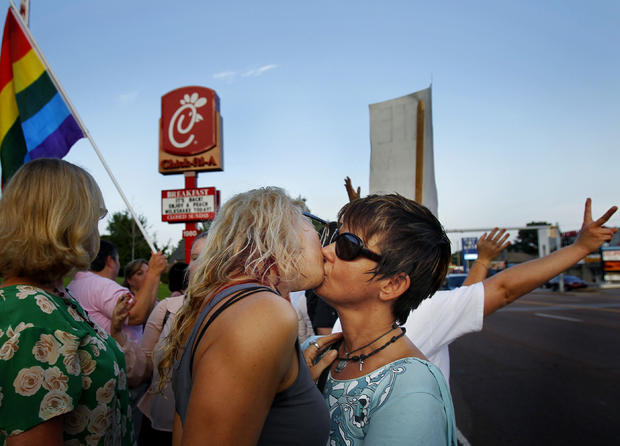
35,121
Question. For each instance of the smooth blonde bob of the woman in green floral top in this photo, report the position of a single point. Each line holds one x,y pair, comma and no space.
49,213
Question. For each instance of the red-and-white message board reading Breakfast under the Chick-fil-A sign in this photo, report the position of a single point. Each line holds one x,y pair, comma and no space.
183,205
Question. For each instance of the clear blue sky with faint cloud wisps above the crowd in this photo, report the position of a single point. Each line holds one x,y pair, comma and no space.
526,97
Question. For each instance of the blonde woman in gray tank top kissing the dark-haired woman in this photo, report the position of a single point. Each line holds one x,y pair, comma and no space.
239,377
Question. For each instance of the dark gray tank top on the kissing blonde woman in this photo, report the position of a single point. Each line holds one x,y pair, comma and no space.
298,414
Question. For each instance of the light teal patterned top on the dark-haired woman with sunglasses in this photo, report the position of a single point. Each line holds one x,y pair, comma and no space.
406,402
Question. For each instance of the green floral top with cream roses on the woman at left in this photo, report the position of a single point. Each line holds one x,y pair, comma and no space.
54,362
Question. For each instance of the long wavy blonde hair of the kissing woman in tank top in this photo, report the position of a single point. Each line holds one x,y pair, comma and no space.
253,234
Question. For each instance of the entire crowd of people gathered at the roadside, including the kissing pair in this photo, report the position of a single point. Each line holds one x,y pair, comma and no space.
227,359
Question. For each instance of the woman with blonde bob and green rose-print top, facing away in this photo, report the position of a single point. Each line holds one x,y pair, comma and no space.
62,379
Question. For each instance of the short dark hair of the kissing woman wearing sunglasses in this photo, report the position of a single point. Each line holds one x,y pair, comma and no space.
410,240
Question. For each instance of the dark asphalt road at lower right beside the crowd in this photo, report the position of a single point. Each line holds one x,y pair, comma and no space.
543,371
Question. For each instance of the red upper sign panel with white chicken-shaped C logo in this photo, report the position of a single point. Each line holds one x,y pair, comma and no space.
188,121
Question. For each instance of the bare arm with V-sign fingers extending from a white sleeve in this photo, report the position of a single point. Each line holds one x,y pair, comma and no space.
509,285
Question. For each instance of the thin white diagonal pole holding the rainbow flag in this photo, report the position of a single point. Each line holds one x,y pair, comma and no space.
77,117
